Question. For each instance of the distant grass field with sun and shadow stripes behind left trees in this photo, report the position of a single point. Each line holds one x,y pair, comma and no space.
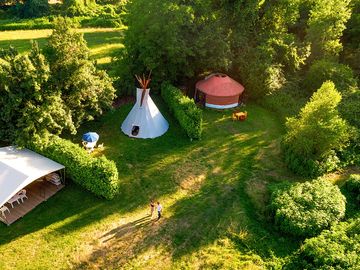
102,42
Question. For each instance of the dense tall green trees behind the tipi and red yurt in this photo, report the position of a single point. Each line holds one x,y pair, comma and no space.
262,43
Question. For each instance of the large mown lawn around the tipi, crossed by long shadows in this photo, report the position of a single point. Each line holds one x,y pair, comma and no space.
214,193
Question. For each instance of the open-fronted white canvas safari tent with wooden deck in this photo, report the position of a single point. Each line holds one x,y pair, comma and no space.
20,169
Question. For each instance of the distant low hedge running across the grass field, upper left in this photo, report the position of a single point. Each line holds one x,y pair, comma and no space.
47,23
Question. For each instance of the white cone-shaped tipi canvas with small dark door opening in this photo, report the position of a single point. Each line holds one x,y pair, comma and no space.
144,120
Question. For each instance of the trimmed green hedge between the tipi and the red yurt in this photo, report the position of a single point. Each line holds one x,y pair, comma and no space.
184,109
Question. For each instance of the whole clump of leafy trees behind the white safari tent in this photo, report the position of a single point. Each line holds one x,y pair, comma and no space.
47,92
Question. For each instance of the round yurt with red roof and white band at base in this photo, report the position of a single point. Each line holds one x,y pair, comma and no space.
219,91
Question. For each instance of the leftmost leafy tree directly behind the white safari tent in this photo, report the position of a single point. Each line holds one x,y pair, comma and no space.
29,111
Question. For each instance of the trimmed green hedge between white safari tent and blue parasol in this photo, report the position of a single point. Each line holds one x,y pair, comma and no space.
98,175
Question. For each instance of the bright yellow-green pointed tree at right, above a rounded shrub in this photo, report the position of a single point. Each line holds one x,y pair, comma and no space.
316,133
